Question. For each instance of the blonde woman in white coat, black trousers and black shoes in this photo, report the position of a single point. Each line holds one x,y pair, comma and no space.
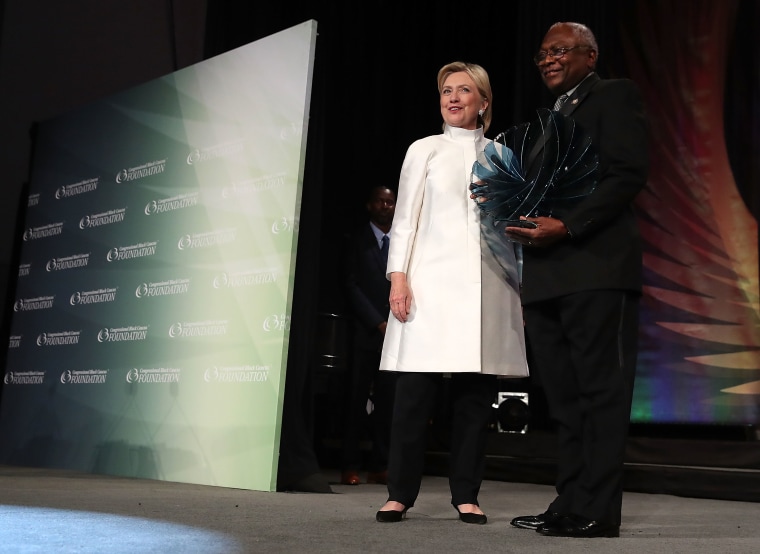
456,309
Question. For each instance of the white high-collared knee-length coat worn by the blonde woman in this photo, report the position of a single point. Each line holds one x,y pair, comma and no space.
466,314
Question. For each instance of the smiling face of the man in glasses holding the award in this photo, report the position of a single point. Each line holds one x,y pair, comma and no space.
561,73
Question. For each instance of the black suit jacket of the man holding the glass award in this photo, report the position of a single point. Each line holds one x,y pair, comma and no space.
605,250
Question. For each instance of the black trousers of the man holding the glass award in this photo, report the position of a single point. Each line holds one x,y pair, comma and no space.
583,348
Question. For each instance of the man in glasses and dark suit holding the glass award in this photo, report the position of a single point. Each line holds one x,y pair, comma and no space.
582,279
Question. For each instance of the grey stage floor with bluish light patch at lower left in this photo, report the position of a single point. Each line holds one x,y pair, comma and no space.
44,510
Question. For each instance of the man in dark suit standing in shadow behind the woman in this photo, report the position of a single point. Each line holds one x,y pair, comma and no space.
368,290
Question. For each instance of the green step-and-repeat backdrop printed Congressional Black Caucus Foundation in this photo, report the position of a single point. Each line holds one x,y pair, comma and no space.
150,326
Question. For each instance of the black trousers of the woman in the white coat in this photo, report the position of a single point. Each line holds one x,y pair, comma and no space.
472,398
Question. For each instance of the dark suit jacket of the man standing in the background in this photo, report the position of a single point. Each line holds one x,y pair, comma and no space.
367,287
